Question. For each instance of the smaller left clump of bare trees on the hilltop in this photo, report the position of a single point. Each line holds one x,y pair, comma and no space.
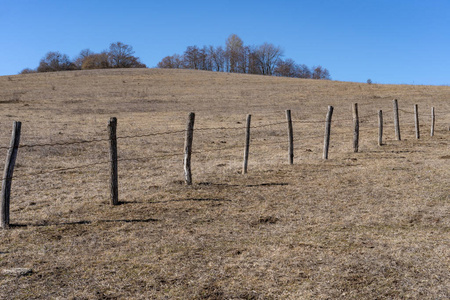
119,55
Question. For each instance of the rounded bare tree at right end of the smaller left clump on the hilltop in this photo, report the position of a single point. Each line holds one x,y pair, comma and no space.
122,56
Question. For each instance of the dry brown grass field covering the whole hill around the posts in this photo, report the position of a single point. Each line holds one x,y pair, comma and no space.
367,225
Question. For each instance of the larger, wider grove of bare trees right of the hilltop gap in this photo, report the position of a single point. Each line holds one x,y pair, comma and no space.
235,57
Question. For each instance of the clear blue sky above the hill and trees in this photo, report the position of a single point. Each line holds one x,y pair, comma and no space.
388,41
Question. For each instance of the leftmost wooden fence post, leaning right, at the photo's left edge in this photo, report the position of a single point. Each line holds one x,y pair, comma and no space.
8,175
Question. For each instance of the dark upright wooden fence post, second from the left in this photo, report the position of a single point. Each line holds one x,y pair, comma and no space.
114,179
